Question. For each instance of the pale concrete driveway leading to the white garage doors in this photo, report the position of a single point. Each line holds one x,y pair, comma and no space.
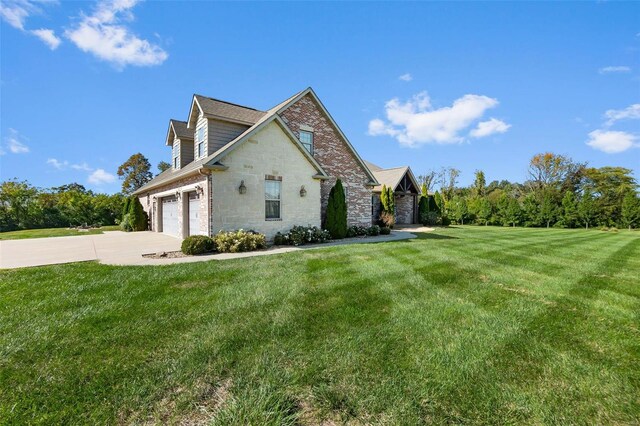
114,247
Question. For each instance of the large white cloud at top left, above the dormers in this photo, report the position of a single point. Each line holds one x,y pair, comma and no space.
104,35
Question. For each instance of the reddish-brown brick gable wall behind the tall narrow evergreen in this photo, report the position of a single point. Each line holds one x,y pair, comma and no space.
333,154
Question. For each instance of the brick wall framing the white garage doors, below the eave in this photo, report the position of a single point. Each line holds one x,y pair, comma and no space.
152,209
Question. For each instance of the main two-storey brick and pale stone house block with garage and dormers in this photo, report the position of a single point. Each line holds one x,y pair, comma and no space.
237,167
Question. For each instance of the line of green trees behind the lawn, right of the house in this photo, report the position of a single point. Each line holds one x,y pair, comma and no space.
559,192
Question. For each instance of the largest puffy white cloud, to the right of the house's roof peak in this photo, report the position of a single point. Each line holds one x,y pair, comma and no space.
416,122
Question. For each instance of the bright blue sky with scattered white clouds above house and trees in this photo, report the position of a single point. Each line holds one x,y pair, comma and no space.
84,85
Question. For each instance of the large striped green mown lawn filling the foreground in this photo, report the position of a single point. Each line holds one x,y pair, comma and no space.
464,325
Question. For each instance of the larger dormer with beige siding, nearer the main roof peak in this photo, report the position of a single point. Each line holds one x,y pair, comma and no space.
215,123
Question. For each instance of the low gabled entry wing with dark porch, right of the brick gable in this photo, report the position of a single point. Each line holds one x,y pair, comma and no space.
405,190
